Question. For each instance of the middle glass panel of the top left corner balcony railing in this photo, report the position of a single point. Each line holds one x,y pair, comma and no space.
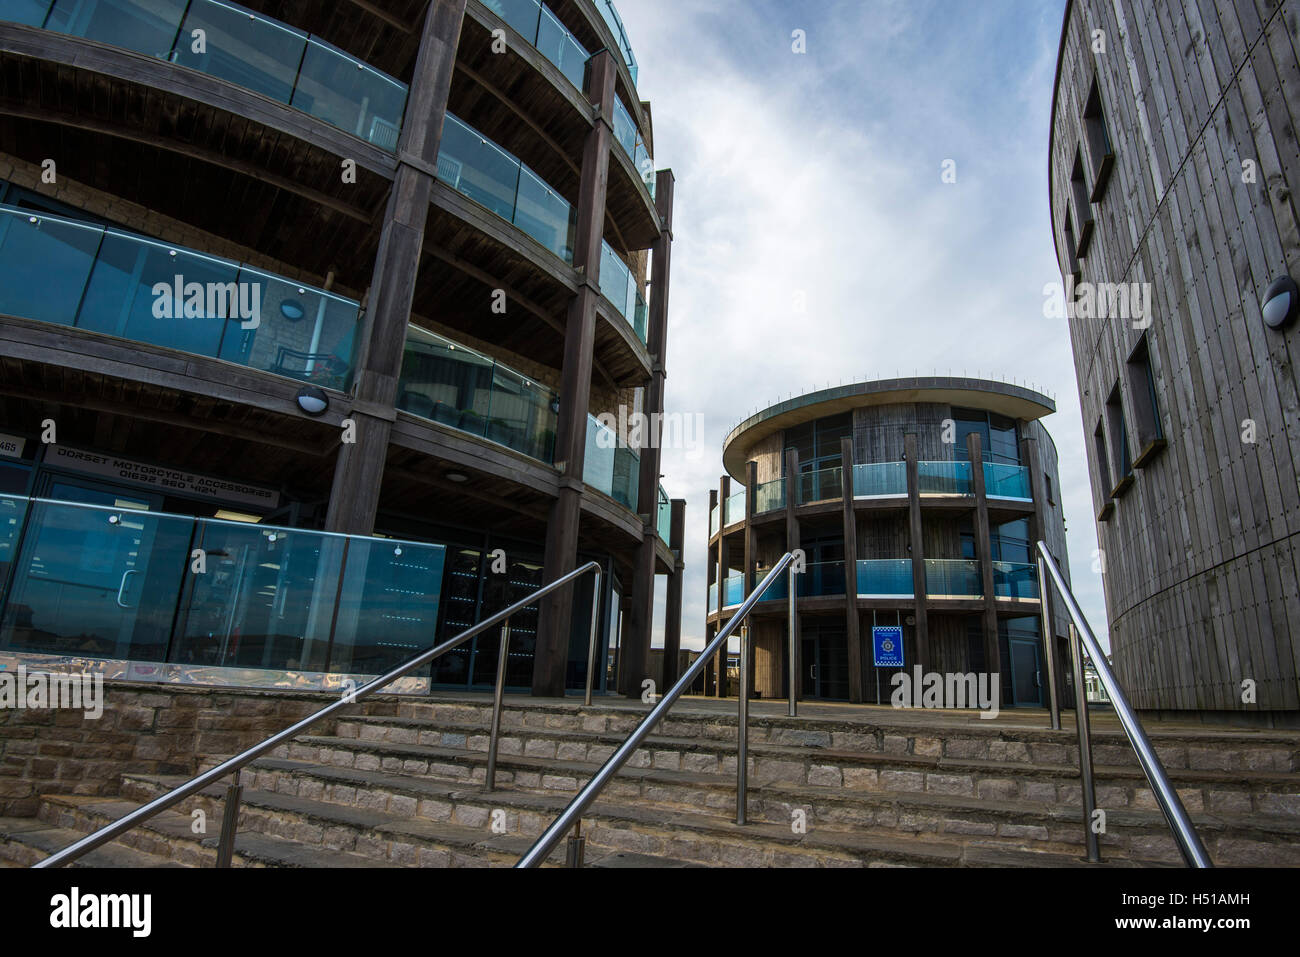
254,53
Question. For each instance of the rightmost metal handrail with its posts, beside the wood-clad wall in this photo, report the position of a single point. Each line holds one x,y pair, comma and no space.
1180,824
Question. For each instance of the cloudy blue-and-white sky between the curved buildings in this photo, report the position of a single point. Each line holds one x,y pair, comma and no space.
817,177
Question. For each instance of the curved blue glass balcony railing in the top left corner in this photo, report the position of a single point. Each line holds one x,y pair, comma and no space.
240,46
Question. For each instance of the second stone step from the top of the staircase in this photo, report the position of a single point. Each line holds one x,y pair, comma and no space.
1266,794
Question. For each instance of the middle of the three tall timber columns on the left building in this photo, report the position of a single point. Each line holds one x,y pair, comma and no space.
561,557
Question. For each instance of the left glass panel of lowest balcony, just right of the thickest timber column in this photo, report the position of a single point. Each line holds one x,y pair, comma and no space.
447,383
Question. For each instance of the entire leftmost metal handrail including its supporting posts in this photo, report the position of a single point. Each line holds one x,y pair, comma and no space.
226,847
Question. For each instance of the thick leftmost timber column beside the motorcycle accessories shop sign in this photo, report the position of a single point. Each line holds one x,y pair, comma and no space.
359,469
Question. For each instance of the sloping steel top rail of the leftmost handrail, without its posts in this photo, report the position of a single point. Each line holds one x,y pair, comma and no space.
233,765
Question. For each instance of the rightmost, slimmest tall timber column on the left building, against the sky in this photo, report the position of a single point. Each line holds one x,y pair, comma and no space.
636,644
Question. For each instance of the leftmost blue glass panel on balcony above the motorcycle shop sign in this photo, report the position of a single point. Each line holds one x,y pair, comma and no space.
45,266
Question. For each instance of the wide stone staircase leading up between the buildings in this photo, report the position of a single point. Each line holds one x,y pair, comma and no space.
401,785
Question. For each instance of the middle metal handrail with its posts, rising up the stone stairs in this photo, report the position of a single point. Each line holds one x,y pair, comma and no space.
573,815
